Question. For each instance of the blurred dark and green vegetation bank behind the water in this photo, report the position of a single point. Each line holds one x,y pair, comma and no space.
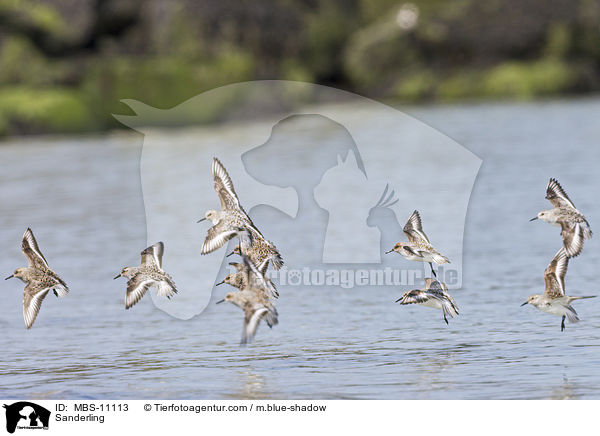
65,64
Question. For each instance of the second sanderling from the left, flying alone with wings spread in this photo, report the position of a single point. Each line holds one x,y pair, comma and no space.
148,274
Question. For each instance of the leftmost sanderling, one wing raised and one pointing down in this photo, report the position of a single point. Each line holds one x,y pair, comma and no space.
39,278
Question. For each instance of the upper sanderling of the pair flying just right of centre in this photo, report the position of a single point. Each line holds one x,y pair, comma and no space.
418,247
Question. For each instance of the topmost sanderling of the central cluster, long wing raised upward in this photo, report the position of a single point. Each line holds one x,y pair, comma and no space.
232,220
